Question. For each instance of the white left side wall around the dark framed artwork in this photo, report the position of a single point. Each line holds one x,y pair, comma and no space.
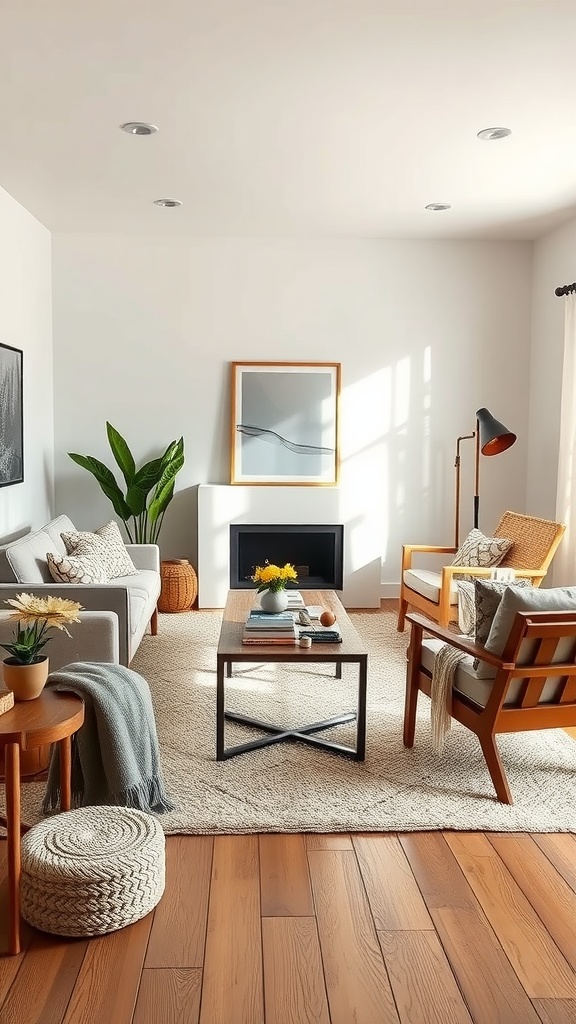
26,323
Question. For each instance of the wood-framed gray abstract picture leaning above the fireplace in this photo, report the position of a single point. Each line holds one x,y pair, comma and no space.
285,423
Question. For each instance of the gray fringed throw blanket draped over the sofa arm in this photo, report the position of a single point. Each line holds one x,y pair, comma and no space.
115,756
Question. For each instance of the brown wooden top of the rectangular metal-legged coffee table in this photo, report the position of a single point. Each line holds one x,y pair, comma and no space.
237,608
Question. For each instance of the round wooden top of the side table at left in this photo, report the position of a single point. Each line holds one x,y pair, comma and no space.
47,719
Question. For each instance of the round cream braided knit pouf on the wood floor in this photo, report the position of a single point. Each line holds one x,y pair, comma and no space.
92,871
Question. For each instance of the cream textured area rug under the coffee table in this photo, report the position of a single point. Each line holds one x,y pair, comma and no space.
292,787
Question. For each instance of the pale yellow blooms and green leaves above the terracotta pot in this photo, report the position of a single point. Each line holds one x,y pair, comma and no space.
36,617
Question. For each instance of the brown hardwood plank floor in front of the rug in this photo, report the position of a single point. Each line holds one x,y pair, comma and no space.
422,928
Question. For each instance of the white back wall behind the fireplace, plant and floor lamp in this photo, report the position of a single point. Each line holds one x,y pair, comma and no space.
146,329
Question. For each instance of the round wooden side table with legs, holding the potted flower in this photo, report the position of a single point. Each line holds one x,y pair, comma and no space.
51,718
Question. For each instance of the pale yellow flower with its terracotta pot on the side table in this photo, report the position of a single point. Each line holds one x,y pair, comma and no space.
26,671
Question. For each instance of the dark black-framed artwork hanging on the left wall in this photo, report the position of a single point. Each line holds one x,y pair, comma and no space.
12,416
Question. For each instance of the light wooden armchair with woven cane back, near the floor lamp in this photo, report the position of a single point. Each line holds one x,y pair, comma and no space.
436,593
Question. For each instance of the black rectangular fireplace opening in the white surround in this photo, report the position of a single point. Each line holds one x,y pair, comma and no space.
316,553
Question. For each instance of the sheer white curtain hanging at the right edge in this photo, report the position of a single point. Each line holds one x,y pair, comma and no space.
565,560
